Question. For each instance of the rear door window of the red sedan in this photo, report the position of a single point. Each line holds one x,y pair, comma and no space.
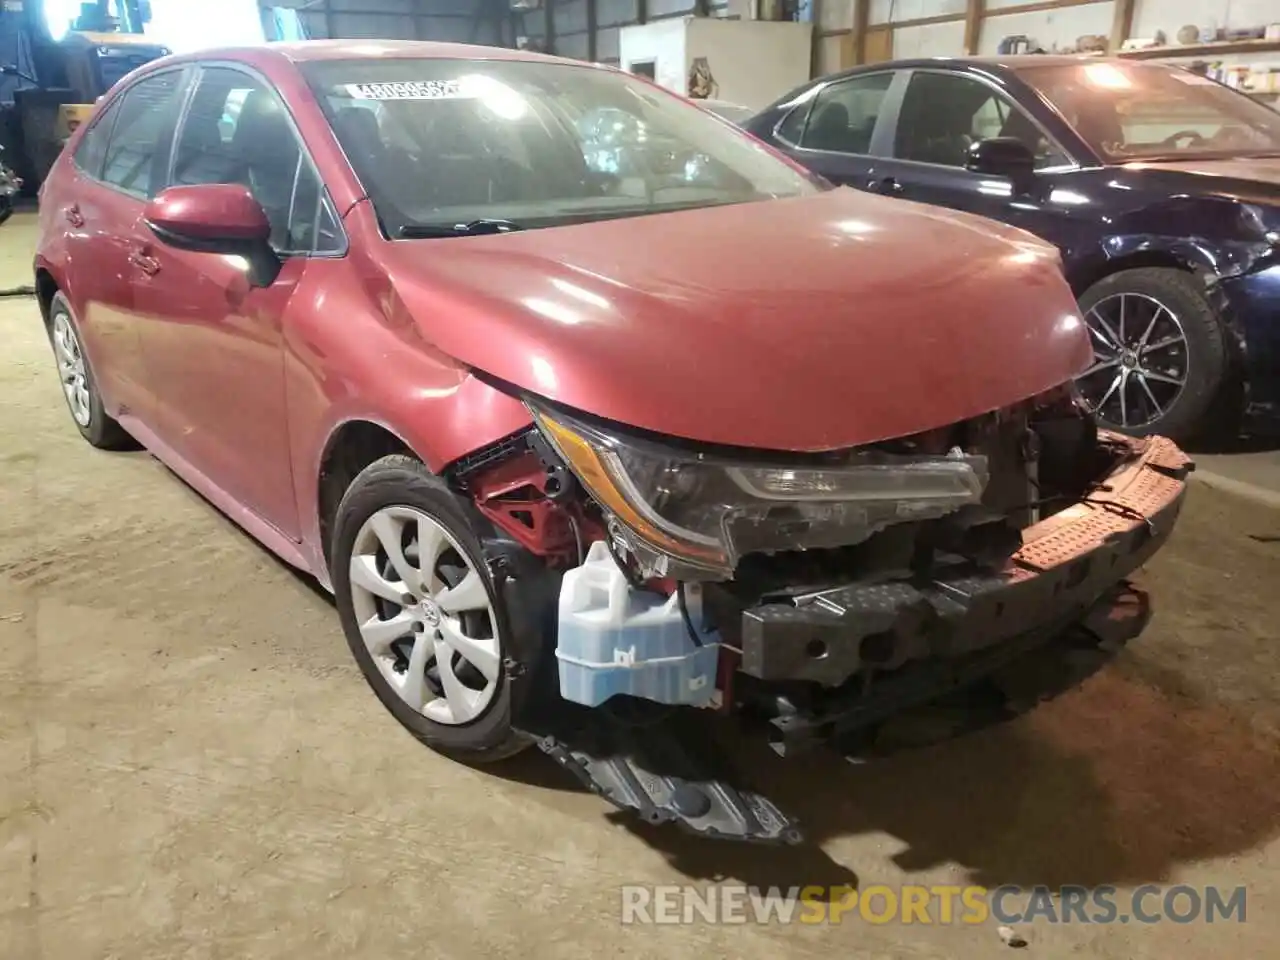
140,136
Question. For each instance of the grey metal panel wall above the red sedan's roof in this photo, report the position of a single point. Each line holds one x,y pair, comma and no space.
582,29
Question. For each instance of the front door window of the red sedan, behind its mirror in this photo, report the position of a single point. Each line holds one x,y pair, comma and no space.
237,131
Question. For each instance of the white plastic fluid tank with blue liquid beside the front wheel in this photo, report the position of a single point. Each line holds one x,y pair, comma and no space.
614,639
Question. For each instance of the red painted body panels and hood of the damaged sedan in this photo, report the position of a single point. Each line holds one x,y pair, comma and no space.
803,324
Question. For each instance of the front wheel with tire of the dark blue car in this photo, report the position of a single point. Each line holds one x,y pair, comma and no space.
1162,362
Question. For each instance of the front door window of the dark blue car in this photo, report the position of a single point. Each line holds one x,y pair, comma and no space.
944,115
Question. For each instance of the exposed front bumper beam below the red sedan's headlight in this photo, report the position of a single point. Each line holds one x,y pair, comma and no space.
1066,565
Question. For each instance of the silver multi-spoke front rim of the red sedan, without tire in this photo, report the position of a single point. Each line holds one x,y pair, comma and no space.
426,615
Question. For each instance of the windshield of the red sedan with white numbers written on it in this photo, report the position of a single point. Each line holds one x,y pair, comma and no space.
445,143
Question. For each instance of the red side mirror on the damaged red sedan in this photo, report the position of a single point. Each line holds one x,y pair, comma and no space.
217,218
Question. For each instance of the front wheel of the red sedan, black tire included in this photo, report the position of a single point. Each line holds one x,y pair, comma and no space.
420,611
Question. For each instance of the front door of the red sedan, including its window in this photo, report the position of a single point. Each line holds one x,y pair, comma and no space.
214,344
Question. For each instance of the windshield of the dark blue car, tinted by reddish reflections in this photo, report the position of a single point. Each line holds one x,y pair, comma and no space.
1153,112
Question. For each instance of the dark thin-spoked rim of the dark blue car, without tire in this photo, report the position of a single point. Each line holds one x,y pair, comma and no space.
1140,360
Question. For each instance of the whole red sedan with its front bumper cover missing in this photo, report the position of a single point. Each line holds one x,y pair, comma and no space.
575,395
